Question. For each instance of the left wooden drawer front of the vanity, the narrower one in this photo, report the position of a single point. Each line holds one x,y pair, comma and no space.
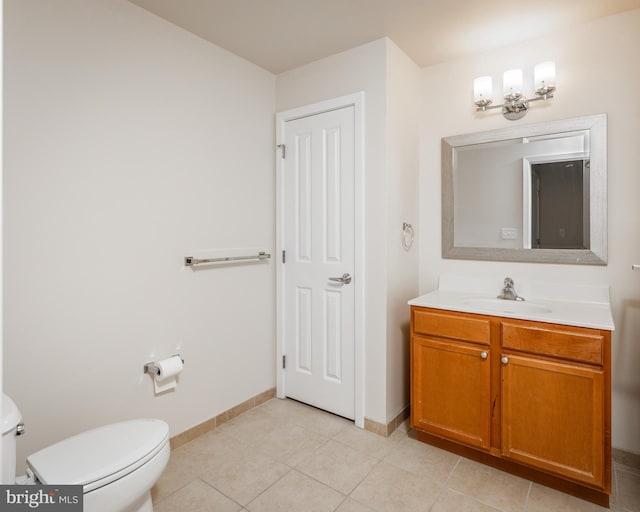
448,325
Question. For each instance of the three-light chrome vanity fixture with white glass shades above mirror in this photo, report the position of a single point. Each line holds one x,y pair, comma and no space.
515,105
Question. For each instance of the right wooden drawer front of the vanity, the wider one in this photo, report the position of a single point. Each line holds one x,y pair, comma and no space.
579,345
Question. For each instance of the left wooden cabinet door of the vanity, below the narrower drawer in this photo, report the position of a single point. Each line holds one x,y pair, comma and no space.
450,390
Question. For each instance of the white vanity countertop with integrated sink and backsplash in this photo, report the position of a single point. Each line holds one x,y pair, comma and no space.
578,305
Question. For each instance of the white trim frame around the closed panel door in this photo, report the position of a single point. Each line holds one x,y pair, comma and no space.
356,101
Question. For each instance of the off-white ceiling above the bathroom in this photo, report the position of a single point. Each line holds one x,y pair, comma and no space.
279,35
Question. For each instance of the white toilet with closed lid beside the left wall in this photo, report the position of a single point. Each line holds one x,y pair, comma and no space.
116,464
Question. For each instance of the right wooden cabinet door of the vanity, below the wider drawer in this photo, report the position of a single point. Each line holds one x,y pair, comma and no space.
553,416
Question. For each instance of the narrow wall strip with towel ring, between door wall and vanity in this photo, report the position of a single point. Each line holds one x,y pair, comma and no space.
402,198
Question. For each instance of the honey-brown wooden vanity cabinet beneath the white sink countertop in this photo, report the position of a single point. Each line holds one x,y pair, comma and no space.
528,397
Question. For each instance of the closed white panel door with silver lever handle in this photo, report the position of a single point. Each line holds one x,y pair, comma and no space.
319,176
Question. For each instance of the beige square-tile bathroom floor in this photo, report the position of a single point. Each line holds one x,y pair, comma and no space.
286,456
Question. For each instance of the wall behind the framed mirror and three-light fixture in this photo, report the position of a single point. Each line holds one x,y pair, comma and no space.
598,72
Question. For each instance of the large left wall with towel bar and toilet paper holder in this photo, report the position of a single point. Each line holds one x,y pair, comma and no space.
130,143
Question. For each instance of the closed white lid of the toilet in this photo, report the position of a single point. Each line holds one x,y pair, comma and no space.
97,457
